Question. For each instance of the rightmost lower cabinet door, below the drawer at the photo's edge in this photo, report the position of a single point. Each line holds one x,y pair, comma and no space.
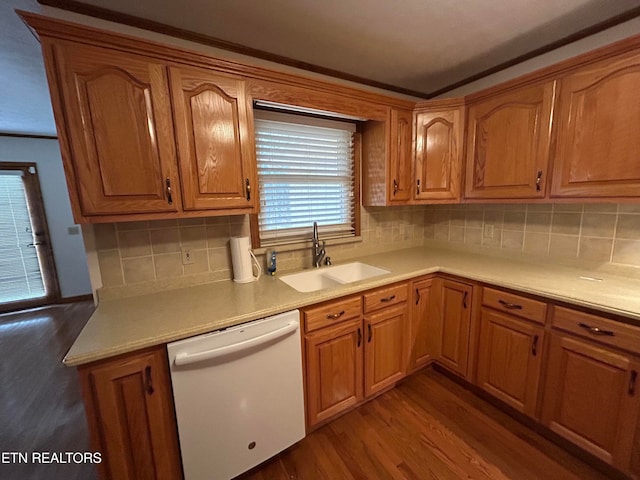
592,398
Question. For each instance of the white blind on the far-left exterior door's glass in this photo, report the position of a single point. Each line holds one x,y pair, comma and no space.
20,276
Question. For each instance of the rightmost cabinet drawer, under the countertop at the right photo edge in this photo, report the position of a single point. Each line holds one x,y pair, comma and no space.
609,332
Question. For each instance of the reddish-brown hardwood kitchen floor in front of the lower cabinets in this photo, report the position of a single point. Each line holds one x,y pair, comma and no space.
428,427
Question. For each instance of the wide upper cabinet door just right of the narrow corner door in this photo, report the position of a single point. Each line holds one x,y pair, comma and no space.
508,144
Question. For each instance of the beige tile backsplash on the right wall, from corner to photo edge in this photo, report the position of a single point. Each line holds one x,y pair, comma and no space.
593,235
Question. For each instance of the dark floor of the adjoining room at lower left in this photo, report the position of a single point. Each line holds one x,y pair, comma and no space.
41,407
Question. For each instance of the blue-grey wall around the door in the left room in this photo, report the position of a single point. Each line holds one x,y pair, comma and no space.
68,250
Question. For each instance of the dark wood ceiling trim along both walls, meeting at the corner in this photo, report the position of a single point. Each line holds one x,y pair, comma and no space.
157,27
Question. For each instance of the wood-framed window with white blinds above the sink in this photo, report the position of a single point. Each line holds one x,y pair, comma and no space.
306,173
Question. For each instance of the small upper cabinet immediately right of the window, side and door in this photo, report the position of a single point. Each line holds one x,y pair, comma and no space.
386,159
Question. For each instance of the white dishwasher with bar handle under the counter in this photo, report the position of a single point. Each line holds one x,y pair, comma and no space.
238,396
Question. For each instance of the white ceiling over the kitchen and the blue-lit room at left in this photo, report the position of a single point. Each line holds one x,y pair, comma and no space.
418,45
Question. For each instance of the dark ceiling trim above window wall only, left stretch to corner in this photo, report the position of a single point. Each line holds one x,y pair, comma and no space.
162,28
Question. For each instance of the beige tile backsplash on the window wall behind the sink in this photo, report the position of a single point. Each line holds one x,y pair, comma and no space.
141,257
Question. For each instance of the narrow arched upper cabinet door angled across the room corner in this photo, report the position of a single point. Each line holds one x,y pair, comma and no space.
438,155
